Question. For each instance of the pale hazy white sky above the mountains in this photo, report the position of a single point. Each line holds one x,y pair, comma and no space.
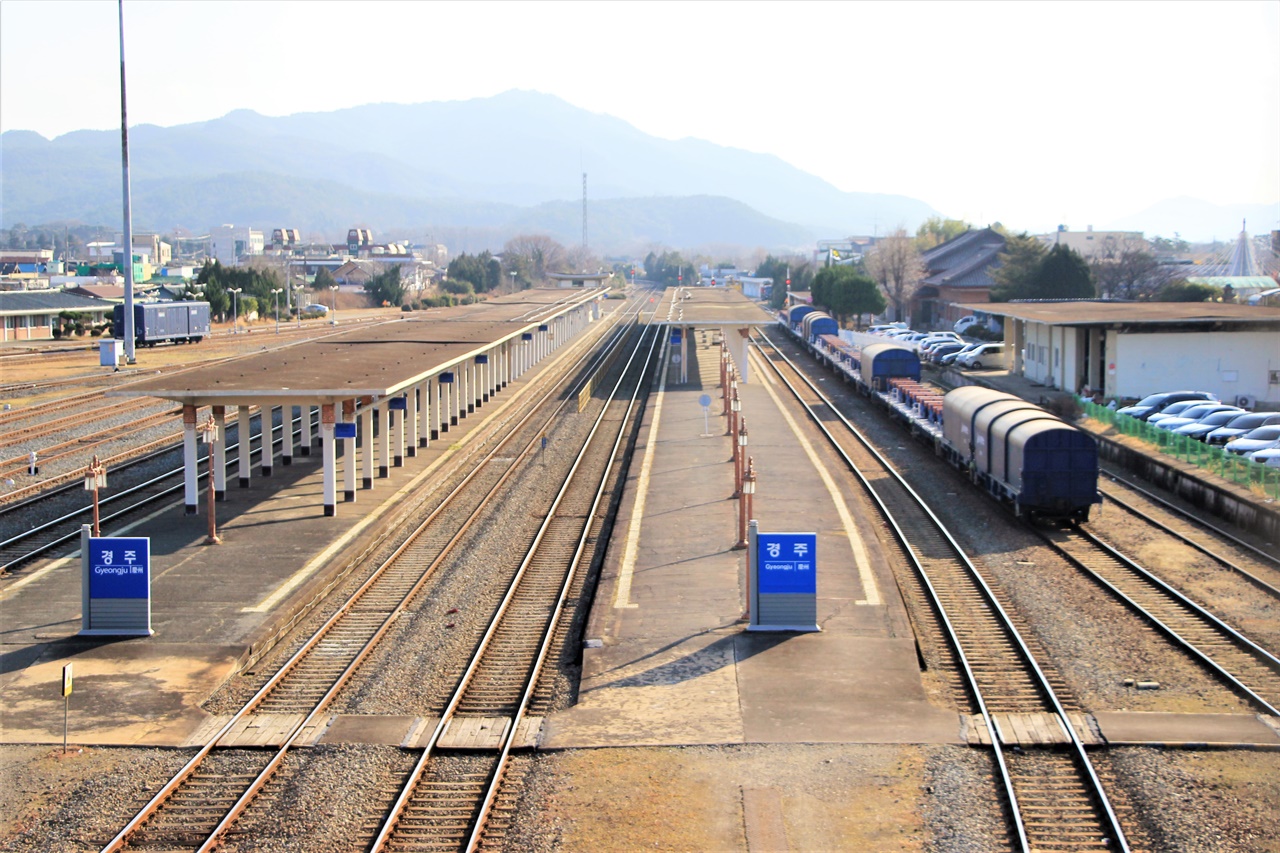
1031,113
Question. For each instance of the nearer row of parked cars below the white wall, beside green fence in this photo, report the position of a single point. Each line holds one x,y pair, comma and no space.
1254,435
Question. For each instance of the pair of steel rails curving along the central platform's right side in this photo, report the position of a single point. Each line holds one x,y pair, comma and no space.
1064,722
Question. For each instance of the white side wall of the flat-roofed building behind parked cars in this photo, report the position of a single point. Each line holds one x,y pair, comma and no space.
1228,364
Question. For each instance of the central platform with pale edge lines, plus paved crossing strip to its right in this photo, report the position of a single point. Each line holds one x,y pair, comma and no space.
669,659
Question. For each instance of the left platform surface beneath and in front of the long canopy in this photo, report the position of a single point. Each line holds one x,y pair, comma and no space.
214,608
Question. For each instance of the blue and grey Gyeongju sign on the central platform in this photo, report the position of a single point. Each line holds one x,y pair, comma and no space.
783,574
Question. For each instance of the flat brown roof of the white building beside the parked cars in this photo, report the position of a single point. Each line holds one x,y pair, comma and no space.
1180,314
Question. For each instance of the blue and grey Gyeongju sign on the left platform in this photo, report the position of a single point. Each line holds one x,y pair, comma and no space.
116,592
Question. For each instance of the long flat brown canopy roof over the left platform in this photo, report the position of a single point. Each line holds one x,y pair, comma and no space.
376,363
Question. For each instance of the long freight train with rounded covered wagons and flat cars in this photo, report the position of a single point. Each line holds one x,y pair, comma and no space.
1040,466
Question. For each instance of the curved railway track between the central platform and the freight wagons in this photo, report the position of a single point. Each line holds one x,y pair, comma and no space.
1055,796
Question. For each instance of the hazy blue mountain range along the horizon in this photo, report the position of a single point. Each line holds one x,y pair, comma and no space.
501,166
